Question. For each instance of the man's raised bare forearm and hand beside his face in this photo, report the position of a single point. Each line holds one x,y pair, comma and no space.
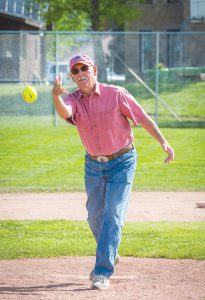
64,111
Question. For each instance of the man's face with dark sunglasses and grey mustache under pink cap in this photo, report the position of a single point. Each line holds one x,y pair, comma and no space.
85,77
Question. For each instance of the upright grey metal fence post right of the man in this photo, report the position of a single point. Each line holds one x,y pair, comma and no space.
157,77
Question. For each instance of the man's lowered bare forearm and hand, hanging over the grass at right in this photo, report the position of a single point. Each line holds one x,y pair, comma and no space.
151,127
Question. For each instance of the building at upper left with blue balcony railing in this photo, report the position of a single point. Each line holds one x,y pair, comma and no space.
18,51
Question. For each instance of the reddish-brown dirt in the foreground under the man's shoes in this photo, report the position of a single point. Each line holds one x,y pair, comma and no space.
67,278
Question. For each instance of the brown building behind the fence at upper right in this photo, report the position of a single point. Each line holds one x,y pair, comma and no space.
181,24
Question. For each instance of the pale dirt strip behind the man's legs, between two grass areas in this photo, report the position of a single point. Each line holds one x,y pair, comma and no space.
143,206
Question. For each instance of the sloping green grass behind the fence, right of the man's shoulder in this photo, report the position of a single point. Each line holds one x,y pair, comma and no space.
187,100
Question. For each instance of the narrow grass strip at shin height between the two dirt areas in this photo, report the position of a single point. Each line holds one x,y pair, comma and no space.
21,239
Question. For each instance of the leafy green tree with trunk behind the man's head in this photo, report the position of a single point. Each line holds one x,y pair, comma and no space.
92,15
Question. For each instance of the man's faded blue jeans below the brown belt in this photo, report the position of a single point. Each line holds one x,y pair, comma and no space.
108,187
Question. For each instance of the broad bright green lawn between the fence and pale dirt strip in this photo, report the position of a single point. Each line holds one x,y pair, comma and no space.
45,158
